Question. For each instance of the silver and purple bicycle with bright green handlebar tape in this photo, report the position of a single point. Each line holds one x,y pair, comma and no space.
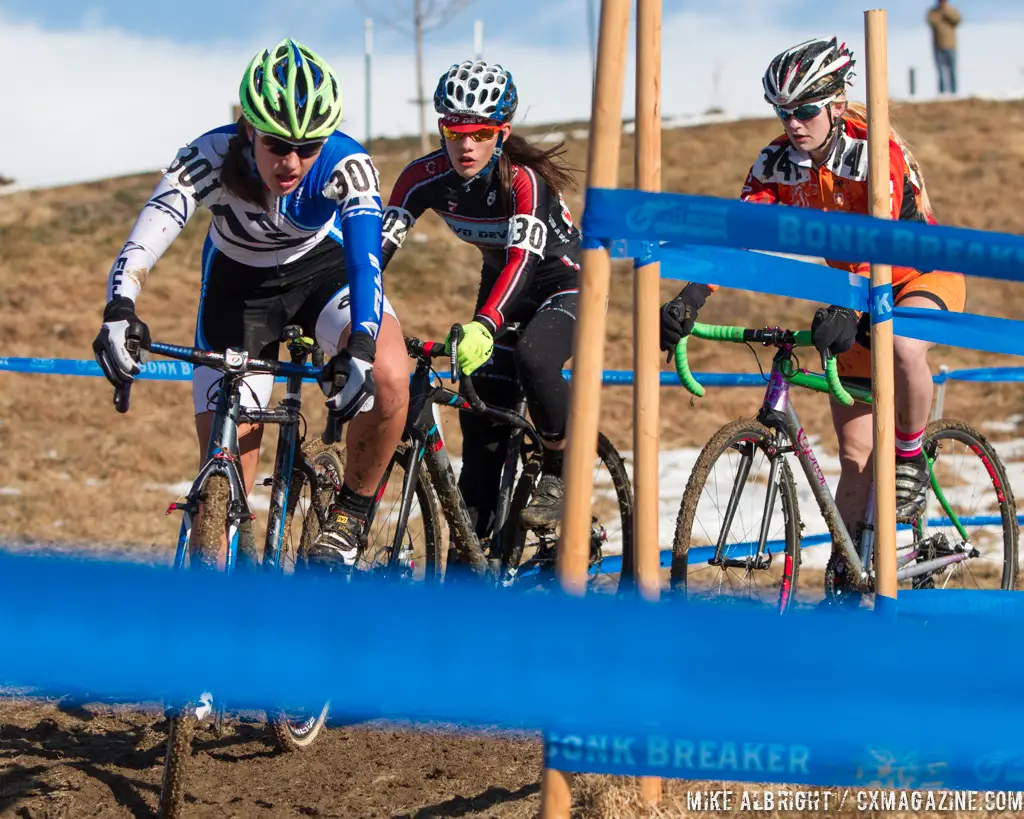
936,550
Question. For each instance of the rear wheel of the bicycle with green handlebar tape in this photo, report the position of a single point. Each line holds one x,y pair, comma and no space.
983,551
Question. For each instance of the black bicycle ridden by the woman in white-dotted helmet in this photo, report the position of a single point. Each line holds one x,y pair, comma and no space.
498,559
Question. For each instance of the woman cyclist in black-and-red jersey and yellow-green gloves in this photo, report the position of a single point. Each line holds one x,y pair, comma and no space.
504,196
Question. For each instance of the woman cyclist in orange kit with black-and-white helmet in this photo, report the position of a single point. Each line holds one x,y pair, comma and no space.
821,162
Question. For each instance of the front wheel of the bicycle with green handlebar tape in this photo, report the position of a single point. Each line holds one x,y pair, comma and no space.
731,498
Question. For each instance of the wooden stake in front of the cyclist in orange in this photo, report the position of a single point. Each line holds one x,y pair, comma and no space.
882,332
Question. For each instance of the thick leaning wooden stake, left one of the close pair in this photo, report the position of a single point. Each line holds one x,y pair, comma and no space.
588,344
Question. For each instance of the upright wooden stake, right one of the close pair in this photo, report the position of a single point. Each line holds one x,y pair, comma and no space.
646,328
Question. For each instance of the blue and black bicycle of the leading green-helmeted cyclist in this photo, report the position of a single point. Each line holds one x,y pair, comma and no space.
217,504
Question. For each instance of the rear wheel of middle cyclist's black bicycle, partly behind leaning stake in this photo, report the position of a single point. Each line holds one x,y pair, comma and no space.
613,558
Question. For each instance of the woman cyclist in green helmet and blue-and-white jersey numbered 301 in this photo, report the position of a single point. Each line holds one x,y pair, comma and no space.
295,238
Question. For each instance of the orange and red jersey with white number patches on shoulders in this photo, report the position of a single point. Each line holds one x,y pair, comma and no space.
786,176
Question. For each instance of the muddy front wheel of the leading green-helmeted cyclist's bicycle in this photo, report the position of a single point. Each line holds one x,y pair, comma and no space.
204,548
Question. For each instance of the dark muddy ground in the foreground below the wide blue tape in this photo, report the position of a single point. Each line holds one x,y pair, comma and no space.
60,761
